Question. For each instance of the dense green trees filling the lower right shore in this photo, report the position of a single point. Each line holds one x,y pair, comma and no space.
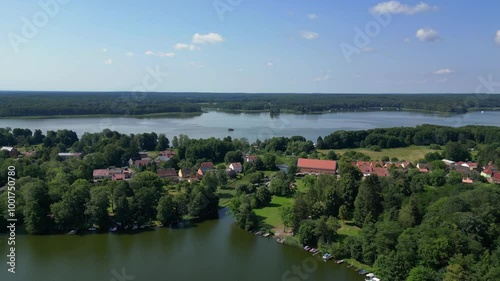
414,226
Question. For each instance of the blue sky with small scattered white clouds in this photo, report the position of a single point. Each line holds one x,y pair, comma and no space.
299,46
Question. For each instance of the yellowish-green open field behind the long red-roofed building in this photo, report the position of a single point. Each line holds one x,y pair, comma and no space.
411,153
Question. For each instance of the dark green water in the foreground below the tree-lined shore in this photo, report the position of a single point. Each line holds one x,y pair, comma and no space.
213,250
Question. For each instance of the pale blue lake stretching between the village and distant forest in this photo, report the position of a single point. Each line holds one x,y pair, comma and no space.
255,125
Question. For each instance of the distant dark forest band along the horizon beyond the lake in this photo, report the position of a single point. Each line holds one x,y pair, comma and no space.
16,104
